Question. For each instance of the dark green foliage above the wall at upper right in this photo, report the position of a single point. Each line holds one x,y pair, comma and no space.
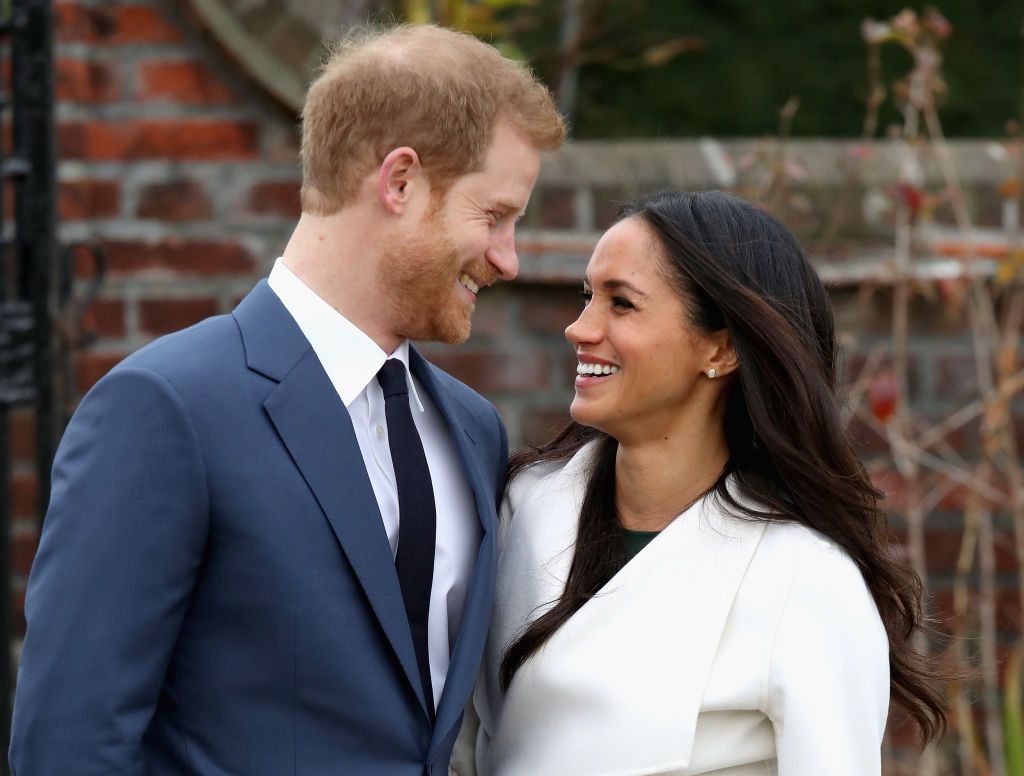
756,56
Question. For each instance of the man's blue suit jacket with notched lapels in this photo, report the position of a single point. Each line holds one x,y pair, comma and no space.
215,592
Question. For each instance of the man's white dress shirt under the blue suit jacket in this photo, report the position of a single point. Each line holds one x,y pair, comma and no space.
352,361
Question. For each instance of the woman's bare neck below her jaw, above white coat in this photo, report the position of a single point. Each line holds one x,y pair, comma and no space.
658,480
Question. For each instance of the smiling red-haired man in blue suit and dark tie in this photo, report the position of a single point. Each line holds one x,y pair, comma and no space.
271,547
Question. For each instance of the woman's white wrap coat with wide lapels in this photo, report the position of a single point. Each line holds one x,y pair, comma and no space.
727,646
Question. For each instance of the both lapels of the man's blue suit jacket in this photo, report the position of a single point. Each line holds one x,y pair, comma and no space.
316,428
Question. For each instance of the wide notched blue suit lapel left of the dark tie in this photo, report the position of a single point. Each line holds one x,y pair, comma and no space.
317,430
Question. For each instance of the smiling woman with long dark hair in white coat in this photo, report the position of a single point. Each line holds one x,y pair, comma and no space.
695,576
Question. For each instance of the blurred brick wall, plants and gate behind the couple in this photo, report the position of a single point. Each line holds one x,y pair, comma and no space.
150,171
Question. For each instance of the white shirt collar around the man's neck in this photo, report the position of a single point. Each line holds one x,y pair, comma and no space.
351,359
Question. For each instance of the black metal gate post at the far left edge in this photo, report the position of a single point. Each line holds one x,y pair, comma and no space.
27,298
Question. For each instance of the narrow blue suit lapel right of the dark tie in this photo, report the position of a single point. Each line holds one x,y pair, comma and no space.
477,615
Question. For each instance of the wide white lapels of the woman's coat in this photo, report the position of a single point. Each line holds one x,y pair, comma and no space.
656,625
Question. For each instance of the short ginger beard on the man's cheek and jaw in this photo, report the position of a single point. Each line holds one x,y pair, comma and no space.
419,277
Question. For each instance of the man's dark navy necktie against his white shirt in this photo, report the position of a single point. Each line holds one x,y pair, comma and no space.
417,516
